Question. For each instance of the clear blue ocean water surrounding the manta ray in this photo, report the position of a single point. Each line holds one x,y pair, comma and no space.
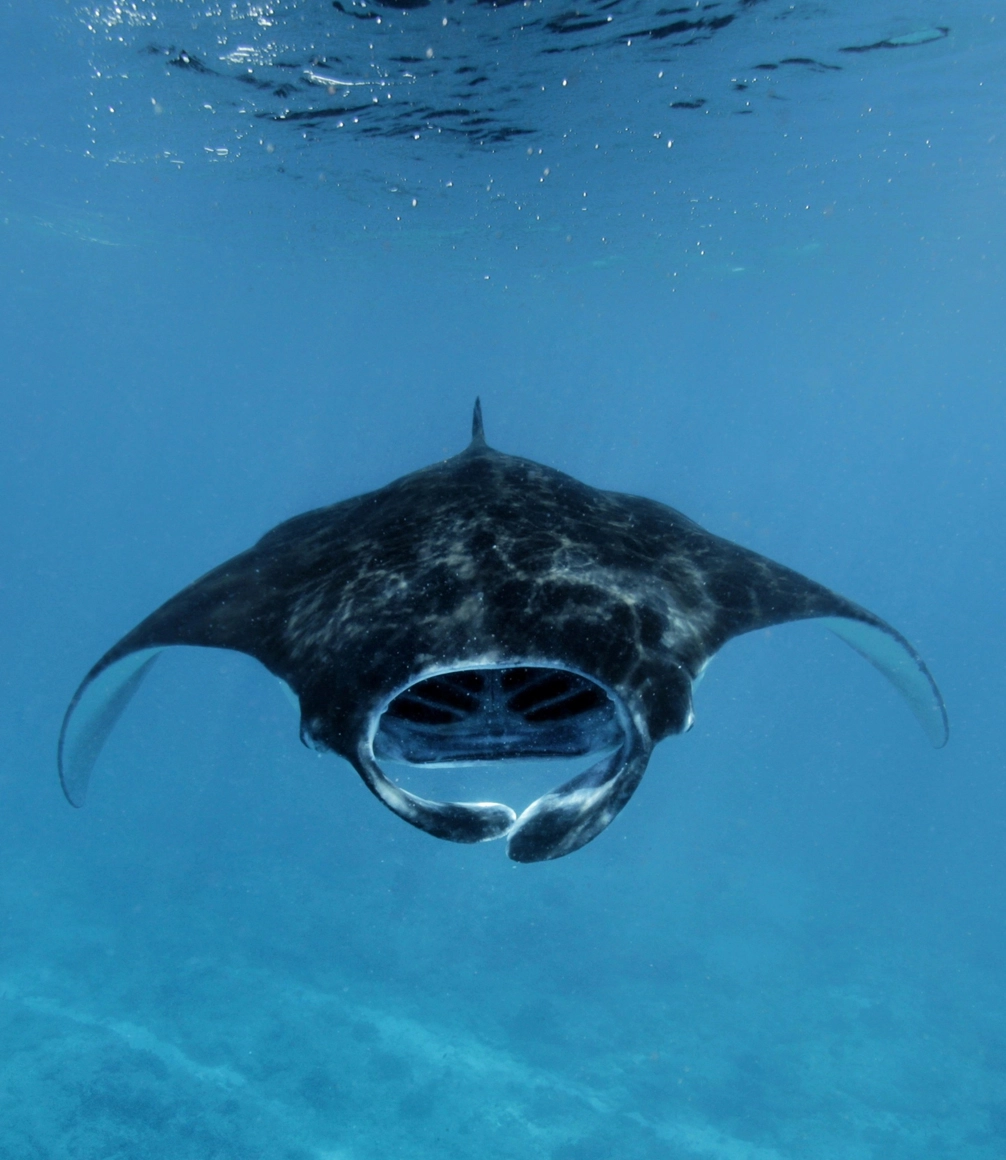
788,324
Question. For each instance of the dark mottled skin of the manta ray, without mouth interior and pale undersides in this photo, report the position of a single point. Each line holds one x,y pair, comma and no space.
488,560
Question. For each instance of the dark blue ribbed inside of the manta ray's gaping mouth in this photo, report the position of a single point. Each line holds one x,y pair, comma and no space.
488,714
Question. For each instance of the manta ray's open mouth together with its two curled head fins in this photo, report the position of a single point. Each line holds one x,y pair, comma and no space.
490,714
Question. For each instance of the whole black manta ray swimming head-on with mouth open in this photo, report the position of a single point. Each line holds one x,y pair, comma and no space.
488,608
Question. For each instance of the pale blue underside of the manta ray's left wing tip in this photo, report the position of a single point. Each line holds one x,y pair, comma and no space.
98,705
